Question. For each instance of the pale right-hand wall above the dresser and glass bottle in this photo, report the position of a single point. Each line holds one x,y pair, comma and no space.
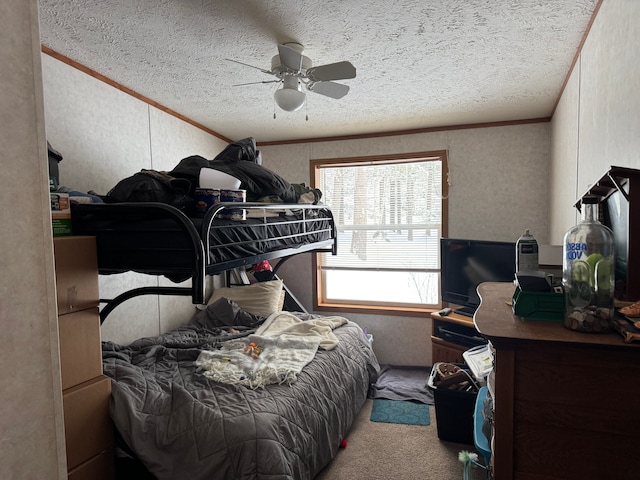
597,122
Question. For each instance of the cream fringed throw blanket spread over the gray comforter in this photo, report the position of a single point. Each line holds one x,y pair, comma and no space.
287,344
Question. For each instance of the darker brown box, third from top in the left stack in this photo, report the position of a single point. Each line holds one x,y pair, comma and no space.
88,430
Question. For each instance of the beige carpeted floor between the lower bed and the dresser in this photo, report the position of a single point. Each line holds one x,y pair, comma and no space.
377,450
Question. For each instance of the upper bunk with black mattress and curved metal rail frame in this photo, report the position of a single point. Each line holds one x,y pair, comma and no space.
158,239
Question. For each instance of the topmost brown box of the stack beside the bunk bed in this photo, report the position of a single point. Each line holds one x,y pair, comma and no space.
76,273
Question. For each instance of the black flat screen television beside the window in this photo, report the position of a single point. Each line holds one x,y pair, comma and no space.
465,264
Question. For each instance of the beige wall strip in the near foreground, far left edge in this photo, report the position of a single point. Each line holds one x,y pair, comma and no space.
31,430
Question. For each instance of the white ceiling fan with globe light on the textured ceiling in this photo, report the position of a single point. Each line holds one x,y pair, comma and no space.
294,70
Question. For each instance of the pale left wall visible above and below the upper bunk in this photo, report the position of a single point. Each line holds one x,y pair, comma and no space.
104,136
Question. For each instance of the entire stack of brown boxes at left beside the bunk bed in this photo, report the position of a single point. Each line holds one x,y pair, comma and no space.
85,390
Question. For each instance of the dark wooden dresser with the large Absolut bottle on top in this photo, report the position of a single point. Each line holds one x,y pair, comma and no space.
566,403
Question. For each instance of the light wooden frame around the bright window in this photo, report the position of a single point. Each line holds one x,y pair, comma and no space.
367,307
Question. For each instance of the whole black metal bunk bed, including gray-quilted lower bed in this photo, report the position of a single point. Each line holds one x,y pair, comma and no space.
172,413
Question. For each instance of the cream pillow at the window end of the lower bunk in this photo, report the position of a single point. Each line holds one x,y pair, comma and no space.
262,298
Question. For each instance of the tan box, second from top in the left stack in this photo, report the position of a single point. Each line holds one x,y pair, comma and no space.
80,348
